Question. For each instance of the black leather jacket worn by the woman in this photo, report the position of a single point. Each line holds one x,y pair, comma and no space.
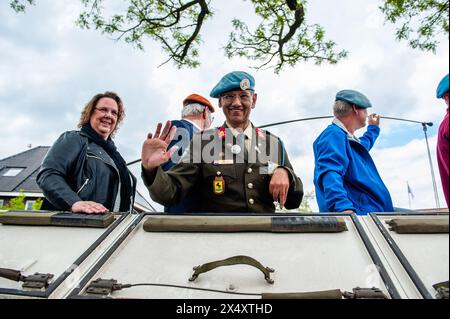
77,169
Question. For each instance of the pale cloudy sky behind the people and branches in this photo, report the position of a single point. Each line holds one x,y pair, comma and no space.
49,69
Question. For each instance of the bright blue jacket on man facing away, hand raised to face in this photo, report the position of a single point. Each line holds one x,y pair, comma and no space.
345,175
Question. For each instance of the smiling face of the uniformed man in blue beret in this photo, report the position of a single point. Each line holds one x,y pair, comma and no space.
237,106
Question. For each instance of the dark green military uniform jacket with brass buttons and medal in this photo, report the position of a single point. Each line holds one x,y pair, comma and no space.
246,176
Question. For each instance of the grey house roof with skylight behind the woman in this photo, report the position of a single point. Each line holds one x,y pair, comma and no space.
30,160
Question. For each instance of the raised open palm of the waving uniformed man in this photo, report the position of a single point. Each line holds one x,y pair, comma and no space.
154,149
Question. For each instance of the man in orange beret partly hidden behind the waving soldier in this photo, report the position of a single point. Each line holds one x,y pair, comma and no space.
195,117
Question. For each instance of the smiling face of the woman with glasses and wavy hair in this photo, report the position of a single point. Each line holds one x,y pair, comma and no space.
104,117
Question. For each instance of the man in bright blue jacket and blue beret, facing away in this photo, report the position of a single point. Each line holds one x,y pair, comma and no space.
345,176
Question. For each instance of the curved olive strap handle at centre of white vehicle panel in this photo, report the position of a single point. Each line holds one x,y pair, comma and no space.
236,260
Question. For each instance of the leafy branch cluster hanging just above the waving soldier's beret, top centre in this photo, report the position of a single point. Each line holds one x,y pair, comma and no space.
282,38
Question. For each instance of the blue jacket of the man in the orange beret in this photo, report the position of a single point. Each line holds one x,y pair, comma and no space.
191,203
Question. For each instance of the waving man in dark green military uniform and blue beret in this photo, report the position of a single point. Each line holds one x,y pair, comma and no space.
236,167
